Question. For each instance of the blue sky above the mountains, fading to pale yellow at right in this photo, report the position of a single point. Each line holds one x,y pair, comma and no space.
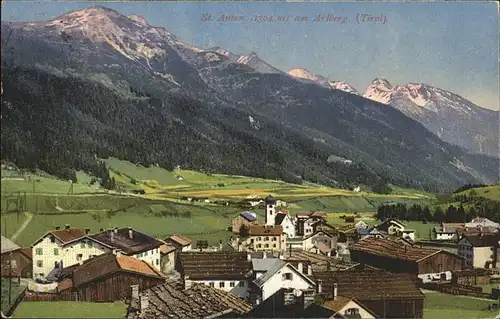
451,45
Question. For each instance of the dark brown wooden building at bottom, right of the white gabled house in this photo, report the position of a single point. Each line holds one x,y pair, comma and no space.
385,294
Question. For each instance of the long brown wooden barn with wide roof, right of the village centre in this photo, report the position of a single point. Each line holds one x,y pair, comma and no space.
392,255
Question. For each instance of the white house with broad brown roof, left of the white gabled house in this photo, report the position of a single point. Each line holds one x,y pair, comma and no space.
228,271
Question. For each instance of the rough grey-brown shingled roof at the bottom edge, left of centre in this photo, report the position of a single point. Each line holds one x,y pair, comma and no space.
199,301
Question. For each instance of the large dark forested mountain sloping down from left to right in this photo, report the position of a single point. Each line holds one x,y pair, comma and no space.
276,124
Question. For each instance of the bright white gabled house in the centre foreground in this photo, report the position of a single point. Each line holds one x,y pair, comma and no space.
273,274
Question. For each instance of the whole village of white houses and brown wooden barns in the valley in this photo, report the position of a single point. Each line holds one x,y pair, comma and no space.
286,266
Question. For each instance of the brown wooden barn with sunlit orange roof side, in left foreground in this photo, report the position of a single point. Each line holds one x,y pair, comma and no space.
107,277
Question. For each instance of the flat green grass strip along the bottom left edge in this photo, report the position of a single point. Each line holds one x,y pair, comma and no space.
68,309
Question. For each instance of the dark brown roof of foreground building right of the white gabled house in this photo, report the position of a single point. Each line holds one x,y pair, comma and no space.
370,284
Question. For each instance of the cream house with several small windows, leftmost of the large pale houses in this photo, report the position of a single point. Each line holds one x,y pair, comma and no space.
63,248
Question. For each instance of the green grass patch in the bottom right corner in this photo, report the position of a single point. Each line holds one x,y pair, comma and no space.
444,306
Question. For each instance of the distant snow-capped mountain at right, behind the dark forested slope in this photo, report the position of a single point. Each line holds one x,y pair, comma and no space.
453,118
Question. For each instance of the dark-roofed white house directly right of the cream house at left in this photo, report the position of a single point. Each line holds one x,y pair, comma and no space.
132,243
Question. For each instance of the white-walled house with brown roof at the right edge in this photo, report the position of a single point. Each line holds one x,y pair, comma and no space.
480,251
